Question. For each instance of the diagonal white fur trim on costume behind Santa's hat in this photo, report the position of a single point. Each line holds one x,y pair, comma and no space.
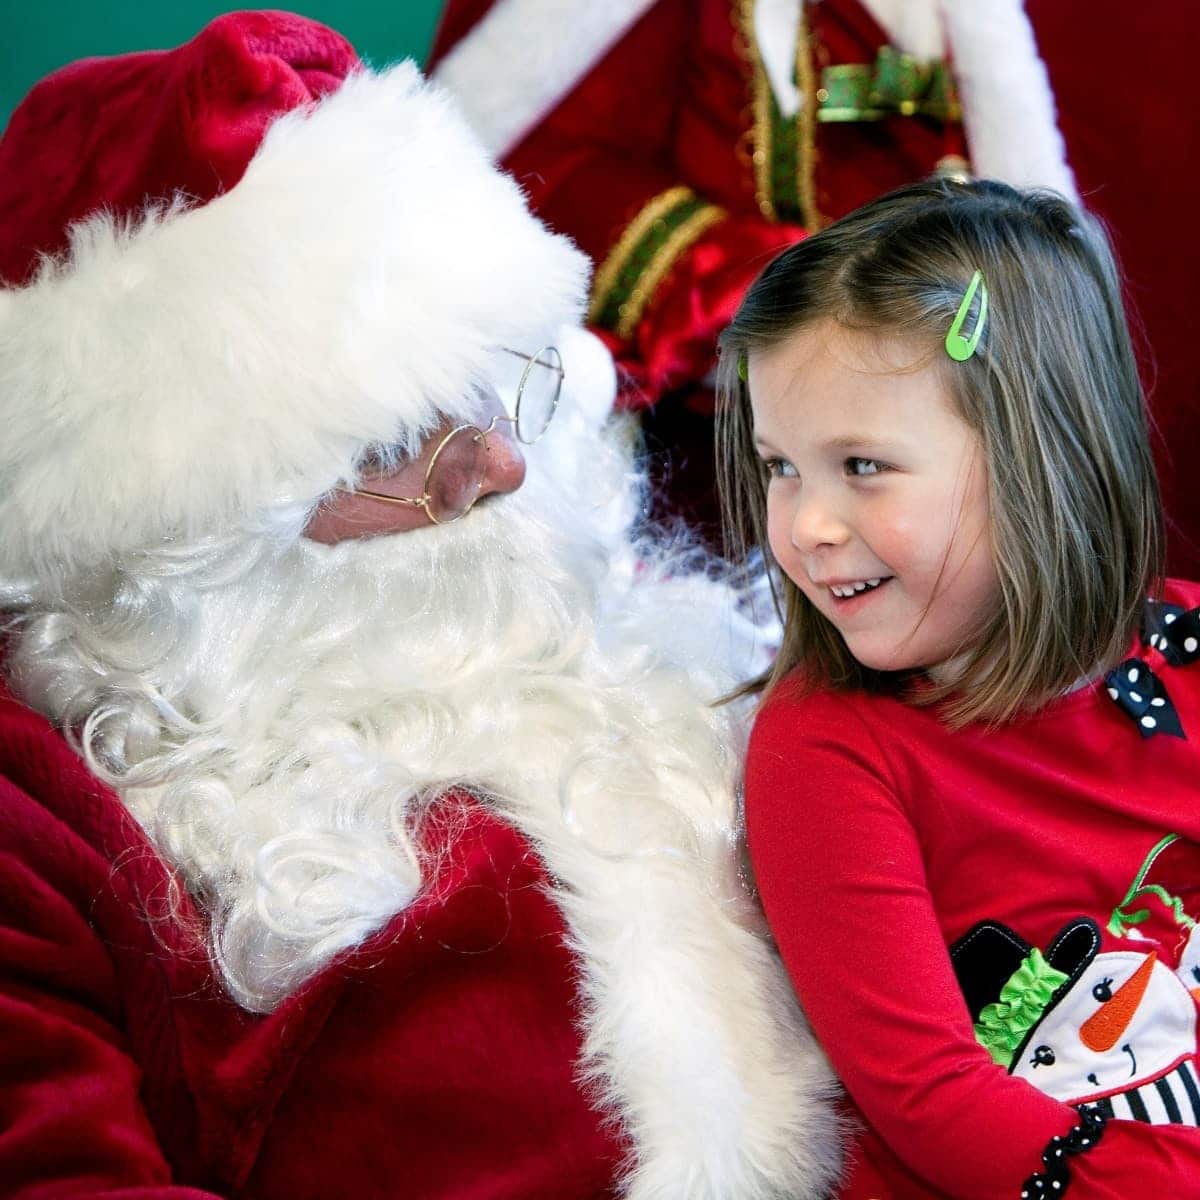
525,56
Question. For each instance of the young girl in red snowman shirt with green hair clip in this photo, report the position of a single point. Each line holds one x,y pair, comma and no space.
973,791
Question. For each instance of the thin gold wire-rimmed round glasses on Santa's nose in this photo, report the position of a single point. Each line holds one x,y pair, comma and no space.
458,467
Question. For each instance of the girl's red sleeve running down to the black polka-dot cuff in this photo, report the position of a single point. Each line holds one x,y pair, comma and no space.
843,881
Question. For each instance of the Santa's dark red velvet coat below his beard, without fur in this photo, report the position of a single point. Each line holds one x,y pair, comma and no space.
439,1060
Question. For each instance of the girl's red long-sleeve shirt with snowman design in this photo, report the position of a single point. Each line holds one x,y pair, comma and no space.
880,839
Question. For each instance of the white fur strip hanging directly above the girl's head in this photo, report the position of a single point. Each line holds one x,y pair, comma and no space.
1007,103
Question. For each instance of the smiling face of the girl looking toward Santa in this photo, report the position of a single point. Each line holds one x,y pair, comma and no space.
878,503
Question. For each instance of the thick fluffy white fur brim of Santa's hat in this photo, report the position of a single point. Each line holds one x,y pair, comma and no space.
179,374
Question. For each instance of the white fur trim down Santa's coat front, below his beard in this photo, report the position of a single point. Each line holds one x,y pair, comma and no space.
694,1034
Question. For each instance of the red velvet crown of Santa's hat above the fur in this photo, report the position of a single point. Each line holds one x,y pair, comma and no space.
137,129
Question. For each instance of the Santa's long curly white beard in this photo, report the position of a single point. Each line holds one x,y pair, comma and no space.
279,719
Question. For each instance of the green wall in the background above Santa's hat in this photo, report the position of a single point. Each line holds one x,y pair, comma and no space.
39,38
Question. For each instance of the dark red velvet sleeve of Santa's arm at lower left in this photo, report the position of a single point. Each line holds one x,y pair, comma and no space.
71,1119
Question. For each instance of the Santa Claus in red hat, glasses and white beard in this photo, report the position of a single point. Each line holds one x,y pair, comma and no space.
368,829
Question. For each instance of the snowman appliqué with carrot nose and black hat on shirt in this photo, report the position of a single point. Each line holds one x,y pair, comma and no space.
1115,1030
